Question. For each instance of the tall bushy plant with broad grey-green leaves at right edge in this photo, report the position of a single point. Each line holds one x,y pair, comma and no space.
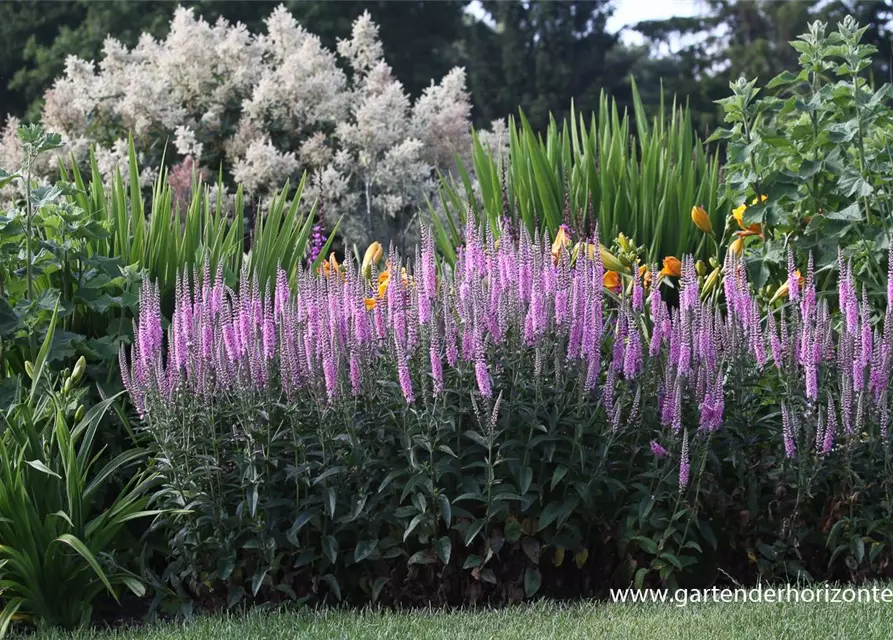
820,151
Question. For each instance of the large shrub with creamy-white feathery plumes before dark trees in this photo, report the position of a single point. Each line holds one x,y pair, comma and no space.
266,107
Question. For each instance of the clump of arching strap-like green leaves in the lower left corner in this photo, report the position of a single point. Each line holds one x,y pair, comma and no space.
59,526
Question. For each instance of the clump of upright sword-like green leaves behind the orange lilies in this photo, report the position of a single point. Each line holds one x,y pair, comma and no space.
643,186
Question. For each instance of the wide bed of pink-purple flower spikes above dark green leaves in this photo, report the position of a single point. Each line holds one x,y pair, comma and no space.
511,426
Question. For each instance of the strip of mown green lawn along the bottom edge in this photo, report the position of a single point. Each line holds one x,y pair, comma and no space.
716,621
